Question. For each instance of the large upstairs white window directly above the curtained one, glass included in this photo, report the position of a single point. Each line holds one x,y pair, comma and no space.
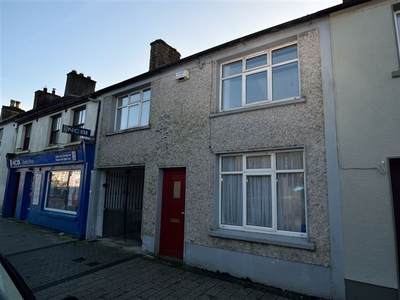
266,76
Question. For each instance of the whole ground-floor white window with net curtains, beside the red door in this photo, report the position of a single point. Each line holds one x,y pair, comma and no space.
263,192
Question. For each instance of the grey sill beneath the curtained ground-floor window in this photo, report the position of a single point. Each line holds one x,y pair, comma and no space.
286,241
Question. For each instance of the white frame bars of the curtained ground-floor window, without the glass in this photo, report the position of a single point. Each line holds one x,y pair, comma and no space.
269,172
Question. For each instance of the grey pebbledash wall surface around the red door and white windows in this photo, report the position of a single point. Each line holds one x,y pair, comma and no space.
186,130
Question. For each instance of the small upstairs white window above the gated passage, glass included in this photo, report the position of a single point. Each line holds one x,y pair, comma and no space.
133,110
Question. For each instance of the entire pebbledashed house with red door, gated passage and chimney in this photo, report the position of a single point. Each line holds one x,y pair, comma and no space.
220,159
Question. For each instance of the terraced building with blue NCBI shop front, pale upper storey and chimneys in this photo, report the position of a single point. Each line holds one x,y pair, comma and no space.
49,169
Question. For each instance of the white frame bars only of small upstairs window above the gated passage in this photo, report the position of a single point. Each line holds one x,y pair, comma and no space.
119,127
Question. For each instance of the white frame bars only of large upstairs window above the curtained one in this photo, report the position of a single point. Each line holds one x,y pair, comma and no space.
268,68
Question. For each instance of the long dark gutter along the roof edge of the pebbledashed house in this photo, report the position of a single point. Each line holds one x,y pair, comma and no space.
286,25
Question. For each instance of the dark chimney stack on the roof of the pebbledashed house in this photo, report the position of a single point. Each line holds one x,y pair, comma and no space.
162,54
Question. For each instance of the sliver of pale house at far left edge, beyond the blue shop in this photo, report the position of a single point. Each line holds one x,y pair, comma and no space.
7,140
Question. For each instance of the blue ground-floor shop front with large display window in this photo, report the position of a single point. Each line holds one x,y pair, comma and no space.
51,189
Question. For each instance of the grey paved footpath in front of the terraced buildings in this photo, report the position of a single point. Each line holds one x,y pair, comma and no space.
55,265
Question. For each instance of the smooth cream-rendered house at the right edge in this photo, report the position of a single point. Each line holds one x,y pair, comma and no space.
366,69
